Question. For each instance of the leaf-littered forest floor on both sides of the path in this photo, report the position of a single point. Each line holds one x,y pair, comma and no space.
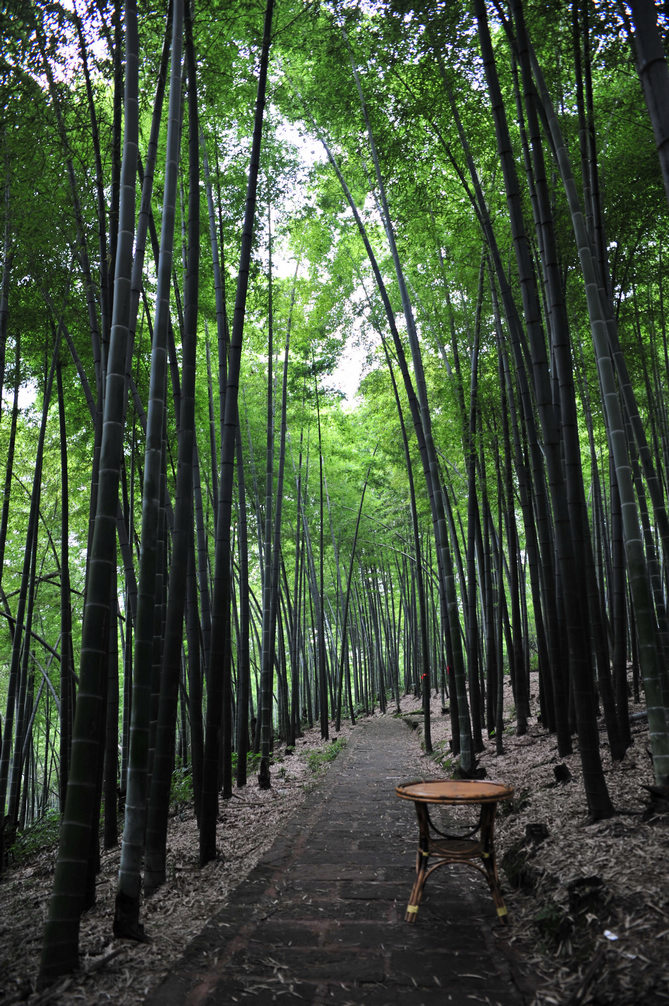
589,904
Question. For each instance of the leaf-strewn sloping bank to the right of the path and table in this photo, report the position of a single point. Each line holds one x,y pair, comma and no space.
591,913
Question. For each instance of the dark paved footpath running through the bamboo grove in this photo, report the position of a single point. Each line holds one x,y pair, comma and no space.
321,919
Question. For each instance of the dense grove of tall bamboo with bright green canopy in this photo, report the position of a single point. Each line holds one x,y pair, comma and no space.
334,357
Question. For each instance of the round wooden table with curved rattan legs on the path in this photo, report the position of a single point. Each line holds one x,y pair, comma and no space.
474,849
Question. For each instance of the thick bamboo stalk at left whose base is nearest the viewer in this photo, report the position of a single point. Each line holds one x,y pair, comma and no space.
61,945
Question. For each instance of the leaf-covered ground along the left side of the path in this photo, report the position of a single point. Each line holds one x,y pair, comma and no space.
121,972
